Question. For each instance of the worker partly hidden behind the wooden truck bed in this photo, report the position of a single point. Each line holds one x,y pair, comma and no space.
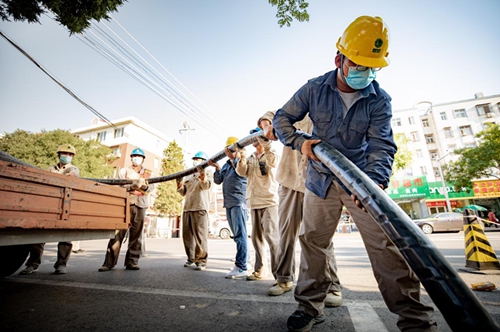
65,154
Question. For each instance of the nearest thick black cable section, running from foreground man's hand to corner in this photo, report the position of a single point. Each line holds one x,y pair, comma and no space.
460,307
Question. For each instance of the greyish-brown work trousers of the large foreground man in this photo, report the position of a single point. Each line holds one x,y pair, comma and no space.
398,285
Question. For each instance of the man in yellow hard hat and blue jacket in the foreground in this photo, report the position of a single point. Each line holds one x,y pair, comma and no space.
351,112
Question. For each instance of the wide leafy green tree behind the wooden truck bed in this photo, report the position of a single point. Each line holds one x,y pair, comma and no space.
39,150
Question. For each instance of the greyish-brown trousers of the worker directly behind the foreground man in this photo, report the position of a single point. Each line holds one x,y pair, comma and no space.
290,219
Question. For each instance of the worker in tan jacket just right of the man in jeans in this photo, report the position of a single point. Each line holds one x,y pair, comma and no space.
262,198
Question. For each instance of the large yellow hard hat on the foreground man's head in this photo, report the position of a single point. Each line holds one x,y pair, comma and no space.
366,42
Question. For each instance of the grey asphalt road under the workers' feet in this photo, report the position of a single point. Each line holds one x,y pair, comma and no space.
165,296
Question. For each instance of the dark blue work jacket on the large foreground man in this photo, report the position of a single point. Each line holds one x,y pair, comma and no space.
364,135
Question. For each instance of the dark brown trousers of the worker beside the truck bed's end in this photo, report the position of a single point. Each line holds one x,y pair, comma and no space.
137,216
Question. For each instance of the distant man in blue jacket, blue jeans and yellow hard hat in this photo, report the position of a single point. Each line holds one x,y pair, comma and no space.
234,188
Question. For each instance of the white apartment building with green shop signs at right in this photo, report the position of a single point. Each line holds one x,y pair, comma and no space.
434,131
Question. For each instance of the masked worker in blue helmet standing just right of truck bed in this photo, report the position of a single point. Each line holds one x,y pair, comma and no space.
139,203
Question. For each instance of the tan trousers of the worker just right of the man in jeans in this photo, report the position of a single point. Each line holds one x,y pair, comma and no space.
265,227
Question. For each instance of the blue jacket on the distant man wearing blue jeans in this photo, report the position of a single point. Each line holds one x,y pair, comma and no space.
234,187
